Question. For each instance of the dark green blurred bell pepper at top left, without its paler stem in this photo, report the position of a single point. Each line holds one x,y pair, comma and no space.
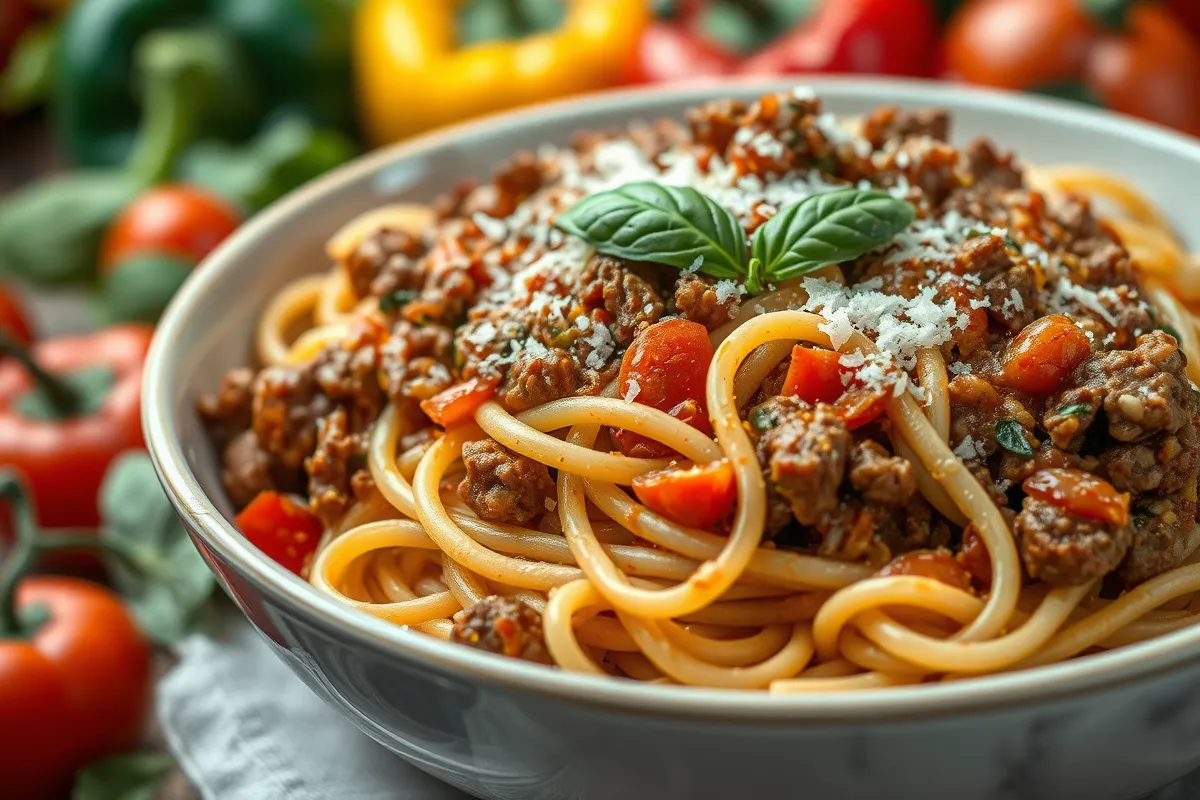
280,58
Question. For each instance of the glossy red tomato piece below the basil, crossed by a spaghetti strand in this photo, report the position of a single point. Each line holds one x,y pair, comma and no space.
669,363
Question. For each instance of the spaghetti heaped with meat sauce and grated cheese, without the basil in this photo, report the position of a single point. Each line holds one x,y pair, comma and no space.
1045,540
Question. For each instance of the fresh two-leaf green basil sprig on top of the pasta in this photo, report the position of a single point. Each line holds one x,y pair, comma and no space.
682,228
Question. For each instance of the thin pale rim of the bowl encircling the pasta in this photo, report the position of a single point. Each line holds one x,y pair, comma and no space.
989,693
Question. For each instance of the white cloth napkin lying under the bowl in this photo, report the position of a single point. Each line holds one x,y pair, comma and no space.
245,729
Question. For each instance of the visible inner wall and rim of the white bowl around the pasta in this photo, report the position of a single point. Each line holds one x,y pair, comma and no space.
211,326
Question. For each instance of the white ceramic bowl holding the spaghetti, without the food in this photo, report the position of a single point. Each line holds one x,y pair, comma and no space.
1109,726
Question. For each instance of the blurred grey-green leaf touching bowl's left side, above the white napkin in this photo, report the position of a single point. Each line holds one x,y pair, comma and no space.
167,585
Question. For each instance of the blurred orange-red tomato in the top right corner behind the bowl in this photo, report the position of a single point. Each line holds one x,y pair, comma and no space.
1149,69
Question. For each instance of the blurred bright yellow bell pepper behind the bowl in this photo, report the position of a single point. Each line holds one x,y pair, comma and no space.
413,77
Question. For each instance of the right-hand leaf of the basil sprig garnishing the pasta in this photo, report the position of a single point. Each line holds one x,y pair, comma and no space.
827,230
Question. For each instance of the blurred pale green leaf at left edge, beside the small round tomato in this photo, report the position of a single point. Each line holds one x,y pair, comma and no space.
51,232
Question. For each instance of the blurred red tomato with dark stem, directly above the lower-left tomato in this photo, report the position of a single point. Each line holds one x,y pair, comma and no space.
68,408
